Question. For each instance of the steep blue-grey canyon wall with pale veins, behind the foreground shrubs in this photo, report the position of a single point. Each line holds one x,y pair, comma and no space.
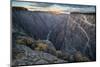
68,32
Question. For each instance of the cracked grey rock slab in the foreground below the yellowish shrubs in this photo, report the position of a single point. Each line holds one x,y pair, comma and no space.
23,55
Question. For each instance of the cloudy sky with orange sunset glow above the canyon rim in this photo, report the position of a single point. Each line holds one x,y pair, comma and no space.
40,6
